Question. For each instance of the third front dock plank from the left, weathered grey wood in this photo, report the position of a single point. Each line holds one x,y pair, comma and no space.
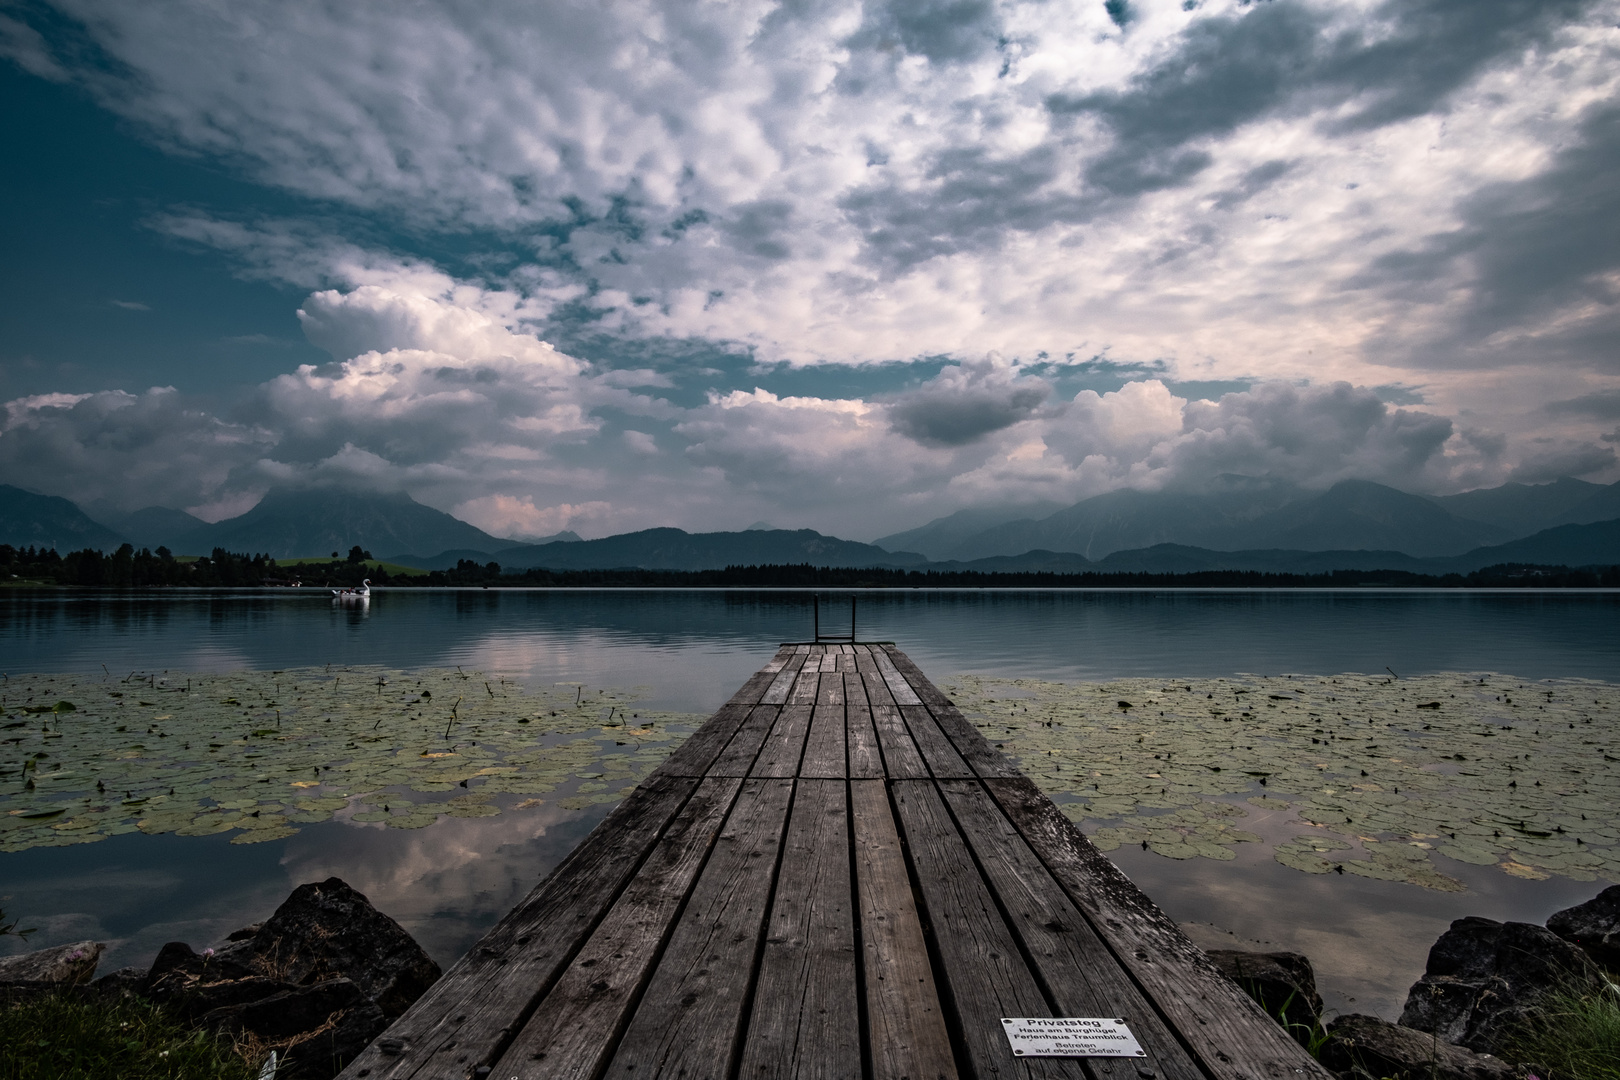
689,1018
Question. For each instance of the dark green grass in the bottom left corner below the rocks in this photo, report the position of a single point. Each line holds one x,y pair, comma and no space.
66,1039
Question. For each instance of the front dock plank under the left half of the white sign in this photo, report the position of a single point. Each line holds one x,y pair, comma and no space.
981,959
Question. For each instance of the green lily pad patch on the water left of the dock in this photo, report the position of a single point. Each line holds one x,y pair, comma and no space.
260,754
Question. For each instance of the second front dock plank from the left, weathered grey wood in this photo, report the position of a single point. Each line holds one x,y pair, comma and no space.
578,1024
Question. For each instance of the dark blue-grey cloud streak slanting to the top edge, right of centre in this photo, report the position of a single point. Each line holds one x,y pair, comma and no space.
1277,57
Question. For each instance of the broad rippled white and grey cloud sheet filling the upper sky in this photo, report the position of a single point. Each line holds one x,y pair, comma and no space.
1209,187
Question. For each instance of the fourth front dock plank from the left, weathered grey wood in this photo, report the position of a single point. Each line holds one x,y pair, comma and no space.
806,1005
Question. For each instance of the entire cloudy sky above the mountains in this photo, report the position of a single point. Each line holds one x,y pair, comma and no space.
832,265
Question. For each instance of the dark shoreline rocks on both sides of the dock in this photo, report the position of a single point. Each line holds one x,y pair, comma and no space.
328,974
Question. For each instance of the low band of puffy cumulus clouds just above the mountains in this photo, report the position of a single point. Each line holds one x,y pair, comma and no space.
451,398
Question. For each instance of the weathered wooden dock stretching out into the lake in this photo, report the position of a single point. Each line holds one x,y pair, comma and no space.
837,877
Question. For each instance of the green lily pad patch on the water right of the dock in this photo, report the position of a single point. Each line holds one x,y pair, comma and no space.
1376,775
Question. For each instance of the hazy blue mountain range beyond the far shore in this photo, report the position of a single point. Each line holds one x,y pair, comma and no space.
1238,525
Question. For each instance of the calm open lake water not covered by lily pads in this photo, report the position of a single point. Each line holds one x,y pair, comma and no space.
448,883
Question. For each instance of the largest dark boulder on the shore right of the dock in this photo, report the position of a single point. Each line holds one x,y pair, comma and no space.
1485,979
